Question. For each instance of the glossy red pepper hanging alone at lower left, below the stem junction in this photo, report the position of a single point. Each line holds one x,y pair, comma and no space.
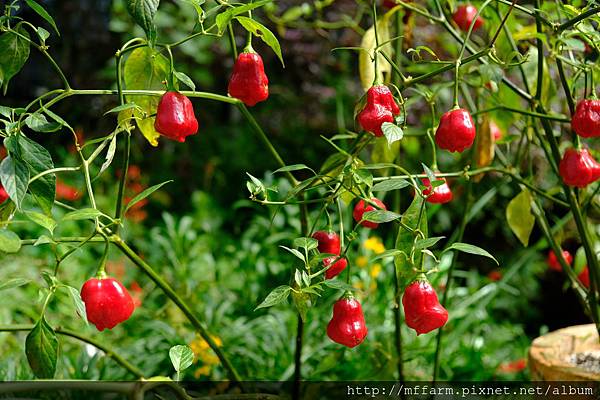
107,302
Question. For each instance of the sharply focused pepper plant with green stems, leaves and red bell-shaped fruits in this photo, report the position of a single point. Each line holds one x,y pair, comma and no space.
359,186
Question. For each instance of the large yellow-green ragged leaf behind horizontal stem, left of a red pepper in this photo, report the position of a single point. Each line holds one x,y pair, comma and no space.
145,69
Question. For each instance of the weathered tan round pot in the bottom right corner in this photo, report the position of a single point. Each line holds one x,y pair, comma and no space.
552,357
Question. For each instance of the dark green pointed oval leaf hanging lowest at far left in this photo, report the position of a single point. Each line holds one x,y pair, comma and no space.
41,347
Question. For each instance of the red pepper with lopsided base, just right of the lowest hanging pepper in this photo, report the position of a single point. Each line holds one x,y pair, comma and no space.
422,308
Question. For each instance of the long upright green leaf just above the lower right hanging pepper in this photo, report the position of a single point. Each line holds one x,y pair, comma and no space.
405,239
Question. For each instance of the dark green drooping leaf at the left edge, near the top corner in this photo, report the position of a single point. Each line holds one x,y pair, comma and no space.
15,52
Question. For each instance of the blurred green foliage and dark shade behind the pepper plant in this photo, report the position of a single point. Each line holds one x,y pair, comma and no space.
220,251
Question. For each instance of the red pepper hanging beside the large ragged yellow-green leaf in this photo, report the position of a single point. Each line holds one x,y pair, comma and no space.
175,117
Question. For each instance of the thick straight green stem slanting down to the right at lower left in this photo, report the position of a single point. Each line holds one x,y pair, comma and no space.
182,305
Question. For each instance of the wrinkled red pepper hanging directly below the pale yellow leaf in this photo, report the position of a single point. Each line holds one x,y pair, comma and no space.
379,108
